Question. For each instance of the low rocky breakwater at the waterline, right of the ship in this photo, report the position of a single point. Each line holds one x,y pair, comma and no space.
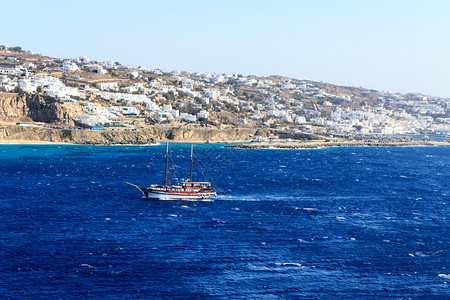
321,144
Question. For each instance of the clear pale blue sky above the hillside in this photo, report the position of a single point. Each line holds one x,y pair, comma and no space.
391,45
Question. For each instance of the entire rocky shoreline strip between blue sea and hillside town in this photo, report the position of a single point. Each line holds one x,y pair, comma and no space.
38,135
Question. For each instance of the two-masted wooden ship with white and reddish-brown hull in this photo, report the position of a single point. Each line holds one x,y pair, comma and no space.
185,190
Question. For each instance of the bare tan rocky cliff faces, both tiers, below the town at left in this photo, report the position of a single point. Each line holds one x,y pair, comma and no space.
38,108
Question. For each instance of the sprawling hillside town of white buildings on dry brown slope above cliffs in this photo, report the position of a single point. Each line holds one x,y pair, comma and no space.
111,95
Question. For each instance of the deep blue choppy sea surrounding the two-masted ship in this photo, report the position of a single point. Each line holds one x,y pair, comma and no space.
332,223
